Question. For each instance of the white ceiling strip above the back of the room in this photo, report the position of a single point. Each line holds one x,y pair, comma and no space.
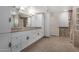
54,8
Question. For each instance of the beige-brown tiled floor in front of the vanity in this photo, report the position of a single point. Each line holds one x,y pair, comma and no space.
52,44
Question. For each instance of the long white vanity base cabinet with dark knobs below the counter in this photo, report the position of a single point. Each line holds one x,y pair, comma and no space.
21,40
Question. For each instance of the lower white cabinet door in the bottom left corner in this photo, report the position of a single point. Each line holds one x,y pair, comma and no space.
4,42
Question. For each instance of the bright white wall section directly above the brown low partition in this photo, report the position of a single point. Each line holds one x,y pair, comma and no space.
63,19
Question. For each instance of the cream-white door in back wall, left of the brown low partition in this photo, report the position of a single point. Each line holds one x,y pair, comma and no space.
54,25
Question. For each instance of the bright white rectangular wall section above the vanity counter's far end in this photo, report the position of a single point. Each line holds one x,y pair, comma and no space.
37,20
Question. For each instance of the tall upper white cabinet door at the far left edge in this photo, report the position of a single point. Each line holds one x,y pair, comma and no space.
4,19
